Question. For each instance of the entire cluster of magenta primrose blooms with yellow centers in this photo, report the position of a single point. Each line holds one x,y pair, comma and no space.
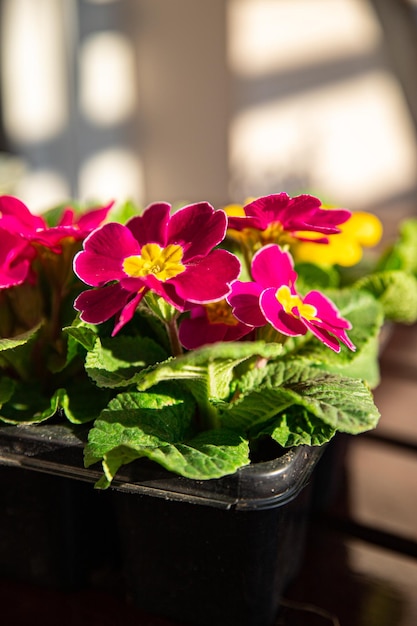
180,257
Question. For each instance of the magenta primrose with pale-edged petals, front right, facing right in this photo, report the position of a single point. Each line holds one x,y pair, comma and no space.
273,298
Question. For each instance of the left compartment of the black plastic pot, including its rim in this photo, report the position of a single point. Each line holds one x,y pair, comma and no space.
51,526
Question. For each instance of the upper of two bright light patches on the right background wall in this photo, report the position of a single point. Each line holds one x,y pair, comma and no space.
273,35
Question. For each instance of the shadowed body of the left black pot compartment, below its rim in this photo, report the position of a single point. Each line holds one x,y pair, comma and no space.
49,535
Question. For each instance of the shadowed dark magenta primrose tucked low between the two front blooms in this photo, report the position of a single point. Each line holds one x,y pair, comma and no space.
210,323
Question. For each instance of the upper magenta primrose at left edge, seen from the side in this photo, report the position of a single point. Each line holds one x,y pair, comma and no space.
17,218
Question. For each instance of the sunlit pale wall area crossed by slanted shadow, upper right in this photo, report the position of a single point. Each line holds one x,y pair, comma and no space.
315,105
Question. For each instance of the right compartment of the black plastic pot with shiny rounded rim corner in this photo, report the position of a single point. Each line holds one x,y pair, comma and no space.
222,557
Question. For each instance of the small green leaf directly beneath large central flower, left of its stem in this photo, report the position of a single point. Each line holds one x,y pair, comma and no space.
115,361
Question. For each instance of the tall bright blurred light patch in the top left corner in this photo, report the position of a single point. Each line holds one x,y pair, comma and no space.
33,68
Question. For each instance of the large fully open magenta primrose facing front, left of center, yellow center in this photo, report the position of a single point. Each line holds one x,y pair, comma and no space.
171,255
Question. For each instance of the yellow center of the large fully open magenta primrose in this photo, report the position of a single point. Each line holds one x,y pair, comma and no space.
163,263
